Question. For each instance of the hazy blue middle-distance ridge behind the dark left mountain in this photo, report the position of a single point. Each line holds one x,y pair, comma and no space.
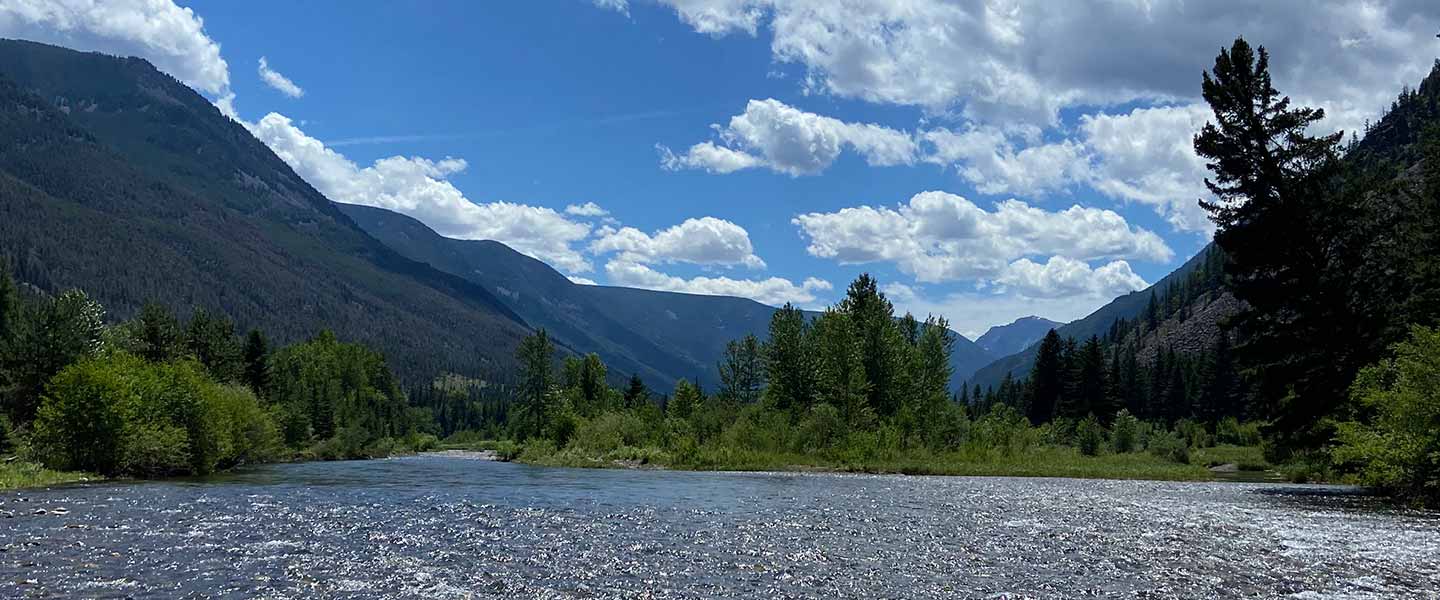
660,336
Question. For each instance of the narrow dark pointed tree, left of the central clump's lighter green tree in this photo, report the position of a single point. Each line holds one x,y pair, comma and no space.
788,363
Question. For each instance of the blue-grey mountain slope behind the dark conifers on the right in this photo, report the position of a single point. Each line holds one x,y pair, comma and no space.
1098,323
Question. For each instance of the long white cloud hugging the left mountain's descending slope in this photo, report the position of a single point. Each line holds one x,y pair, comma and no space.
418,188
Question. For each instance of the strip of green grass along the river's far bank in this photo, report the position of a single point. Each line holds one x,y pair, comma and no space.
1035,463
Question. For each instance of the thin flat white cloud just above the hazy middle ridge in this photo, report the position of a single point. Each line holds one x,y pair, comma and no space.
773,291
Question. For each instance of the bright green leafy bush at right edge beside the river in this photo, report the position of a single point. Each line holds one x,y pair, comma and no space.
1399,450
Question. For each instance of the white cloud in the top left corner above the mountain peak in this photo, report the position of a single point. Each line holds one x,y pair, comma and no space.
169,37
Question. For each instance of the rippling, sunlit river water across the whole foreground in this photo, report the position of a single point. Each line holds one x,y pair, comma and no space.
454,527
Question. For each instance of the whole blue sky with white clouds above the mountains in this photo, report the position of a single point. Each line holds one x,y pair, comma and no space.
984,159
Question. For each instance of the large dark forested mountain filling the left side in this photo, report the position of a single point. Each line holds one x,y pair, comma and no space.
120,181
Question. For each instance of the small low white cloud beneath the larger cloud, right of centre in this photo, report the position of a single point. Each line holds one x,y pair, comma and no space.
1063,277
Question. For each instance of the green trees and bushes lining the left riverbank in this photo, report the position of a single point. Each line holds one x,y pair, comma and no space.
156,396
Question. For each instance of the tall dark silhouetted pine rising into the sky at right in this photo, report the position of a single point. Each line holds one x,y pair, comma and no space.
1285,242
